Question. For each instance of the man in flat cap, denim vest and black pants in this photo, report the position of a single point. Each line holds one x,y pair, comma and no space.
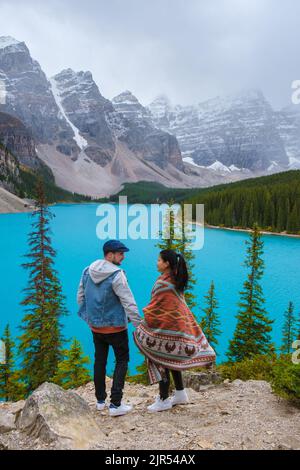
106,301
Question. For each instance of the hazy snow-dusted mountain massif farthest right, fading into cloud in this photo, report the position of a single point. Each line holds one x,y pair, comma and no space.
238,131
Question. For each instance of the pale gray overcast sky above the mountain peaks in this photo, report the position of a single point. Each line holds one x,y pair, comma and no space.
190,50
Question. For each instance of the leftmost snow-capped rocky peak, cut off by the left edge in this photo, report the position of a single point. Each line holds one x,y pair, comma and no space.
26,93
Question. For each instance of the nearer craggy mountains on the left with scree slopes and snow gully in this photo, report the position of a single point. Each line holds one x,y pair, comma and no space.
90,146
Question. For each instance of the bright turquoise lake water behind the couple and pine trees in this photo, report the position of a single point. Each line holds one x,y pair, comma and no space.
220,259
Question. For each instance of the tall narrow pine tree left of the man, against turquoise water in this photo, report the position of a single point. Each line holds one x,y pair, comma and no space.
41,341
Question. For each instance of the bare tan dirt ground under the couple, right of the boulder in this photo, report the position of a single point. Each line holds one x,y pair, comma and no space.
240,415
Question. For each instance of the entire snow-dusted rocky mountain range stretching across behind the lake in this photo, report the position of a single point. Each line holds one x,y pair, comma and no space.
93,145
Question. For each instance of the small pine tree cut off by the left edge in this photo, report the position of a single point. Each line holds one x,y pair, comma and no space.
11,387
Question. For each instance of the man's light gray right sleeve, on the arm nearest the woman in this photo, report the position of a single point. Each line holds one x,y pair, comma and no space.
122,290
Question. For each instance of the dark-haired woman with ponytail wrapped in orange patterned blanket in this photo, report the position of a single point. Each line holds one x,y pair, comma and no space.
169,336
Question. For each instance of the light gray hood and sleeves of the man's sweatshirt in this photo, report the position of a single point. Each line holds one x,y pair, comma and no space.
100,270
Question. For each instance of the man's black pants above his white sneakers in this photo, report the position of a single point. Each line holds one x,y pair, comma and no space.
119,343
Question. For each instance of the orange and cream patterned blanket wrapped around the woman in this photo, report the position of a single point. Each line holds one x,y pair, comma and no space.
169,335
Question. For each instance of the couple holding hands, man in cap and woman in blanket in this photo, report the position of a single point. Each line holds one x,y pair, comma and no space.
168,335
